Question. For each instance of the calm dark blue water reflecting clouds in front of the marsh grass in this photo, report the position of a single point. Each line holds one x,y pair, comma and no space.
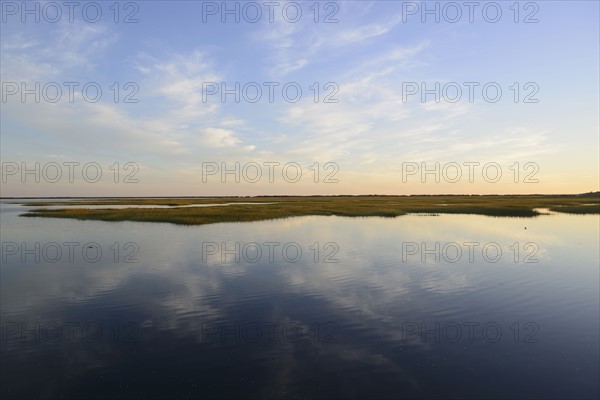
315,307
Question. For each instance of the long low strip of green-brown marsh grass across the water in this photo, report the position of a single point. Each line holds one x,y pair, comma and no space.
350,206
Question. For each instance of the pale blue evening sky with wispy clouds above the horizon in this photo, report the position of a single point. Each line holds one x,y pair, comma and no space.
192,98
